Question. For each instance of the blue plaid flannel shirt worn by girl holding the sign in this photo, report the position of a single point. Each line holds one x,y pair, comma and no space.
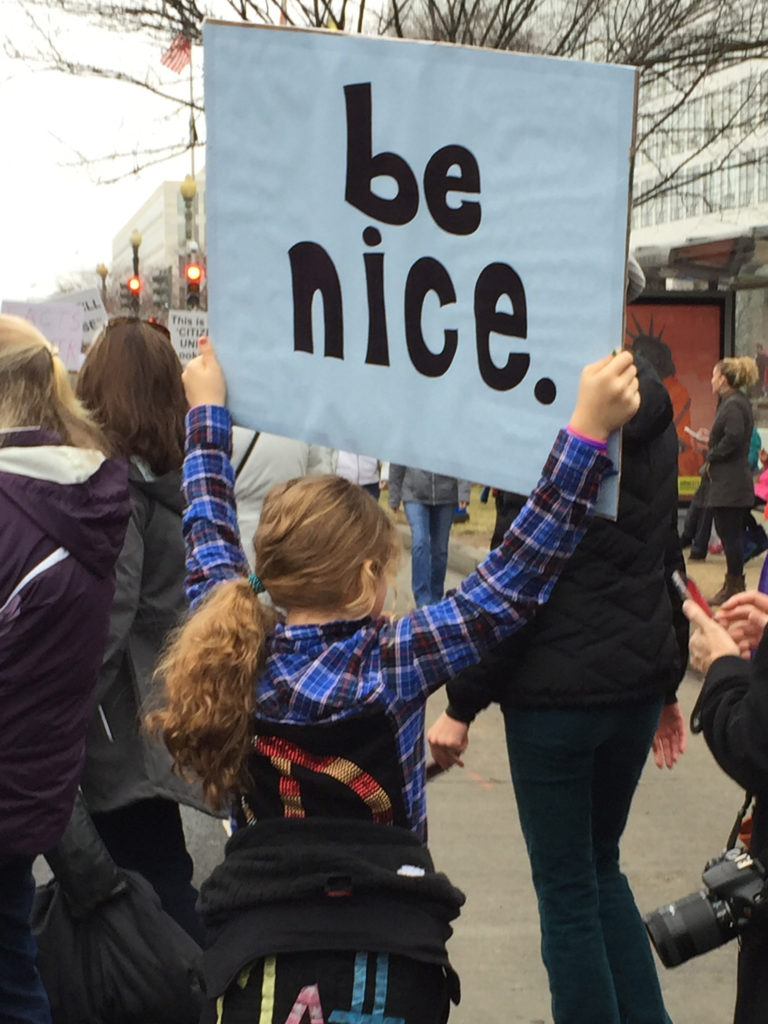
321,673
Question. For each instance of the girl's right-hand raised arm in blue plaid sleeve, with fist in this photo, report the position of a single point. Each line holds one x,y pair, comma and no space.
434,644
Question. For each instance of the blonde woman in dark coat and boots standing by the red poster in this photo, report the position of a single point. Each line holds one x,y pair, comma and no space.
731,492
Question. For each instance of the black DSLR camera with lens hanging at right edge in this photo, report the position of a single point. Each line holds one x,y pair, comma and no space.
737,890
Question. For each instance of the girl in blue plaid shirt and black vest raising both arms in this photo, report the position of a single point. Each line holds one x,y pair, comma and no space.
313,721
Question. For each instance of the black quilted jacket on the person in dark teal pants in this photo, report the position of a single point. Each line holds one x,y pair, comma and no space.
613,631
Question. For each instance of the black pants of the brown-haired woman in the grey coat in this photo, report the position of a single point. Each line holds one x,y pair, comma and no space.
148,837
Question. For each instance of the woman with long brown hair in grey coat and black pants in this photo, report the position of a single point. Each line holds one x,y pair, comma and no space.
132,385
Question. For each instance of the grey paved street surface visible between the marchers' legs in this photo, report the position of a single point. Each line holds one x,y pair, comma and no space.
680,820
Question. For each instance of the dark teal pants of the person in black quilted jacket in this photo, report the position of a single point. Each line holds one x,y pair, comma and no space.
575,774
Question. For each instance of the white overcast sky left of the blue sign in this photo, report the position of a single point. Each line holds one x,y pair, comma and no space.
56,221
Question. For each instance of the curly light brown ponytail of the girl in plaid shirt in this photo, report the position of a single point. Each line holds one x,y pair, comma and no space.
209,673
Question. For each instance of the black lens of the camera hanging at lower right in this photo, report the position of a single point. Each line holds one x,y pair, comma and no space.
691,927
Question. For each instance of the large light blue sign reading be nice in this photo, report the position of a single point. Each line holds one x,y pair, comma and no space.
413,248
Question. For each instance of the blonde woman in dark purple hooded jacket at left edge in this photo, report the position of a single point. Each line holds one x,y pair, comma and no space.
64,508
